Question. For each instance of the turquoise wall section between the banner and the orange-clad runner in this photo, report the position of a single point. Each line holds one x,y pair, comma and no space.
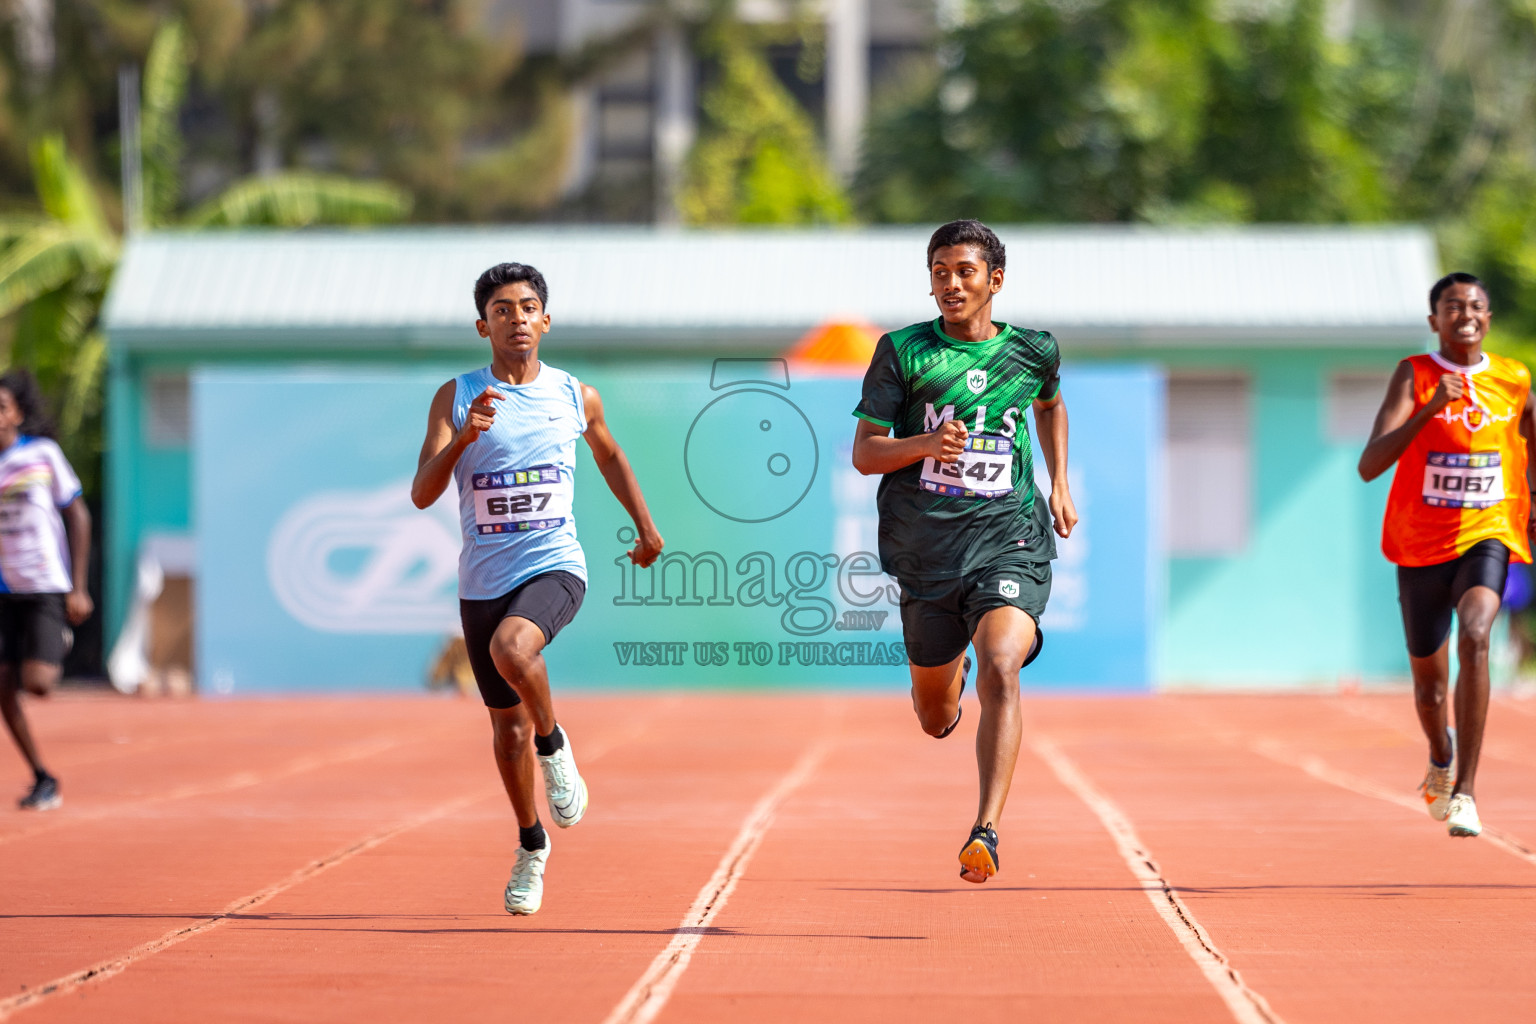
1309,600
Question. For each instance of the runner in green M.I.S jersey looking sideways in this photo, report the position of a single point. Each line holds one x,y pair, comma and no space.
962,527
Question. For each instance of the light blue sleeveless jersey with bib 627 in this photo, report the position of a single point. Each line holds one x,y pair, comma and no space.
517,483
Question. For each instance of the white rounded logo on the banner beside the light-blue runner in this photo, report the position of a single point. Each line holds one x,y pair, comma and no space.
368,563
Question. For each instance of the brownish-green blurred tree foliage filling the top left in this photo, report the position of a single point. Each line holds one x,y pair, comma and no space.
426,94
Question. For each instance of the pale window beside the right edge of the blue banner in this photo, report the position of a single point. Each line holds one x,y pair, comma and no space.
1210,464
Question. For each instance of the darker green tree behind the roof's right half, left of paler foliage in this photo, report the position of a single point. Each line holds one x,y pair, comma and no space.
1122,111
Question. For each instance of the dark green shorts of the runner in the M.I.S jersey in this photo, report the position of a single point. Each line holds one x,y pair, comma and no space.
941,616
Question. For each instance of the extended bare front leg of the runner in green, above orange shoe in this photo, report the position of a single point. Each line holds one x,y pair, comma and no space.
1002,644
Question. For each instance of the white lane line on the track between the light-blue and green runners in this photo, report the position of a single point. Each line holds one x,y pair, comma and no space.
649,996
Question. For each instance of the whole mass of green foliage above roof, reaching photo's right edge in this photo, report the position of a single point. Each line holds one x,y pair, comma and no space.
1213,111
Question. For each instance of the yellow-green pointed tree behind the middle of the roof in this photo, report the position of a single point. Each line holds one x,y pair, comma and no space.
758,160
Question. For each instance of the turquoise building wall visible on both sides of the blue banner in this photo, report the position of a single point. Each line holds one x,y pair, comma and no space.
1308,601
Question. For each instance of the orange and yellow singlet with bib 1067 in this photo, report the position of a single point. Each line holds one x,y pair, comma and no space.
1463,478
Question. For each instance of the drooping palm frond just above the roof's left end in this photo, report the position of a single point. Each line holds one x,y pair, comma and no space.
302,199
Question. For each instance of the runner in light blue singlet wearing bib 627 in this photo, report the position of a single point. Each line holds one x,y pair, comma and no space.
508,435
